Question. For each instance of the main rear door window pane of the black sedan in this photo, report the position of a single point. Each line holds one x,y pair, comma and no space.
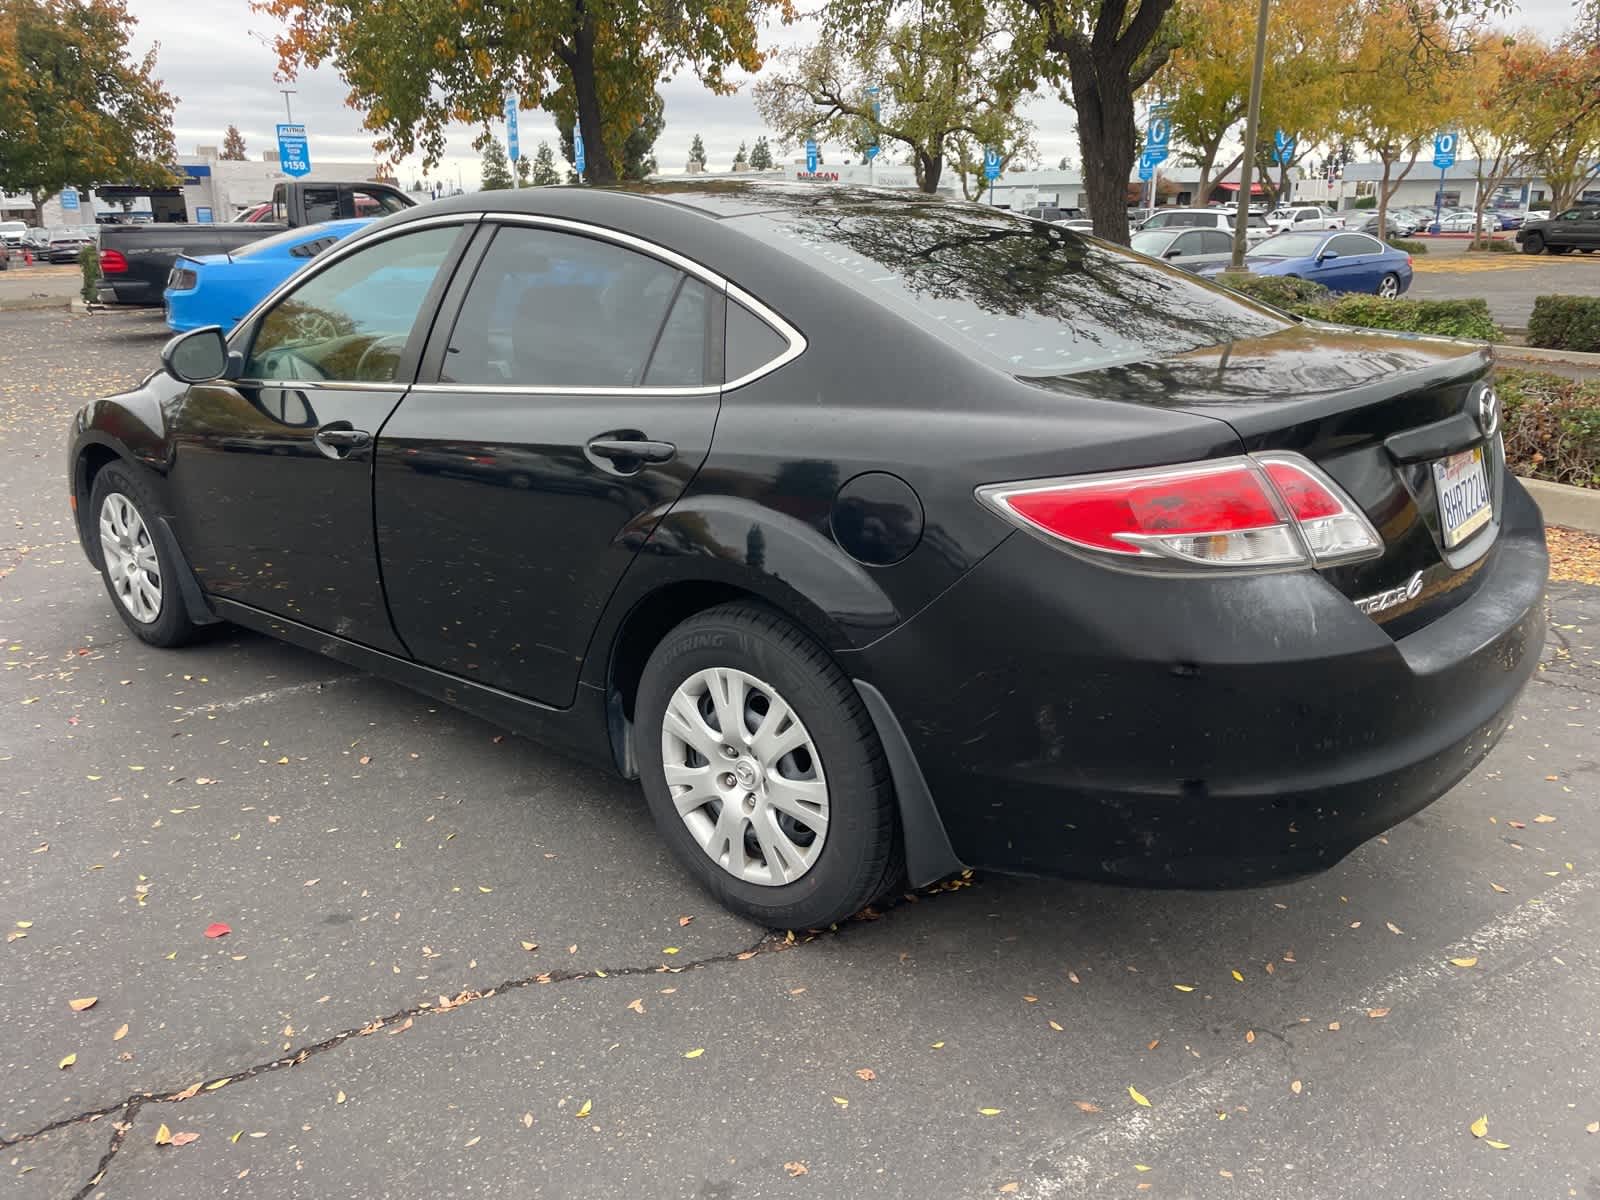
554,310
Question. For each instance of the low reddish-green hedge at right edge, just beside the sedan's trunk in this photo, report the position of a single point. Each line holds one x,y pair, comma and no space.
1551,426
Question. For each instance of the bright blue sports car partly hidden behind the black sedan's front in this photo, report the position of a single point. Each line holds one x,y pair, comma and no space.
222,289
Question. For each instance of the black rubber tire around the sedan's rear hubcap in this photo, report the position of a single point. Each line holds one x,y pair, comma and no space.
862,855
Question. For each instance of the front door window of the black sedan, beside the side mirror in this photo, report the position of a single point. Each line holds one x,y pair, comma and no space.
351,322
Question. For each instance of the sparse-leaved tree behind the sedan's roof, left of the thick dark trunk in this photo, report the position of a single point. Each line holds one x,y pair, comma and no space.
942,70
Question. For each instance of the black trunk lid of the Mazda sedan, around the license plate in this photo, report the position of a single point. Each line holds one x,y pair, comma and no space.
1377,412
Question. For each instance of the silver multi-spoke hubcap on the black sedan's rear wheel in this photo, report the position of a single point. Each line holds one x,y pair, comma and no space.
745,777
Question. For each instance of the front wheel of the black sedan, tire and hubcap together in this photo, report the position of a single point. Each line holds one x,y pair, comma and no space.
140,572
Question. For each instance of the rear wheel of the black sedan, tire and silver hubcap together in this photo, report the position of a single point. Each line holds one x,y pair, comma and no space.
764,772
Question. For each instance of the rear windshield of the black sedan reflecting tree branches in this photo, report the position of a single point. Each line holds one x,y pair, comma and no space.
1030,298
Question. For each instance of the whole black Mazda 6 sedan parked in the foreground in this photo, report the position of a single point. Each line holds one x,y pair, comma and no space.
876,537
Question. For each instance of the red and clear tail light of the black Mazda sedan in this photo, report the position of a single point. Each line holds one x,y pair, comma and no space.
1266,511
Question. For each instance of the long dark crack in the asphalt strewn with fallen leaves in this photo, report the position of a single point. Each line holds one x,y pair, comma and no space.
130,1106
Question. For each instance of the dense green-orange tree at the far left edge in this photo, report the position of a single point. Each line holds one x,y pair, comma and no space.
76,108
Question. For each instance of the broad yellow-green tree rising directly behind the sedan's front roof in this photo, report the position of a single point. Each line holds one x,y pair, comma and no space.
417,66
